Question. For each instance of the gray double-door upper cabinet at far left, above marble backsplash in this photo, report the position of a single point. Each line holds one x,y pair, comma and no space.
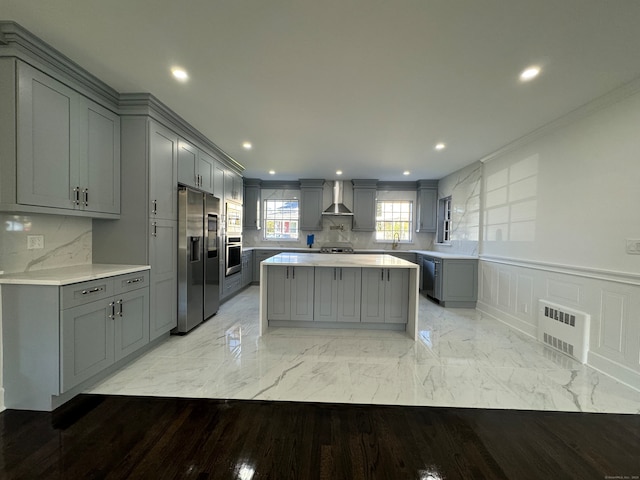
67,149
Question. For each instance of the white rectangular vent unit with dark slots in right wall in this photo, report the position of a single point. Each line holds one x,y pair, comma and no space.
564,329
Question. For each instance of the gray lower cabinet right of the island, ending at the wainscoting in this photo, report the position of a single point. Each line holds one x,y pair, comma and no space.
452,282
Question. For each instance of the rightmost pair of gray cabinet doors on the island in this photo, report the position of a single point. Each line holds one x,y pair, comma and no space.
385,295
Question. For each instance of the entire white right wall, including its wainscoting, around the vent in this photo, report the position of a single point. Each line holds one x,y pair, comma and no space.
555,216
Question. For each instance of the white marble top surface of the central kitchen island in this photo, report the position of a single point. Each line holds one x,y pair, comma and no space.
338,260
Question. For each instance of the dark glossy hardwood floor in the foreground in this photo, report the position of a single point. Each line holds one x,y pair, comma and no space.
163,438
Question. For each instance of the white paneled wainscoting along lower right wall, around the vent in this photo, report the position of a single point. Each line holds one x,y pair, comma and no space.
509,290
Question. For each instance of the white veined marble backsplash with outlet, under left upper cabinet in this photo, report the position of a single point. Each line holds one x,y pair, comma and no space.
67,241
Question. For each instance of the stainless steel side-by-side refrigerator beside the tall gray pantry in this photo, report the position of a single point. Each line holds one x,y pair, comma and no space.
198,257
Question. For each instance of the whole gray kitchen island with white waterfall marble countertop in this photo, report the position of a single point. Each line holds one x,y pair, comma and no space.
339,291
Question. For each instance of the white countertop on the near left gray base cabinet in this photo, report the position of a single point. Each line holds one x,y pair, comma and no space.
69,275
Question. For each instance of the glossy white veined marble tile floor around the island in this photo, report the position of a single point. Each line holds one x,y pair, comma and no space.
462,359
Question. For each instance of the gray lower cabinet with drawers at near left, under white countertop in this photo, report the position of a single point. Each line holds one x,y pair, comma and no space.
69,335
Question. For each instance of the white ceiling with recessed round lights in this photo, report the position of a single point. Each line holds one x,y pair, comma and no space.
365,86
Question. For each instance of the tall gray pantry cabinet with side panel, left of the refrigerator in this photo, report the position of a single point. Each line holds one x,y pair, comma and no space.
147,230
